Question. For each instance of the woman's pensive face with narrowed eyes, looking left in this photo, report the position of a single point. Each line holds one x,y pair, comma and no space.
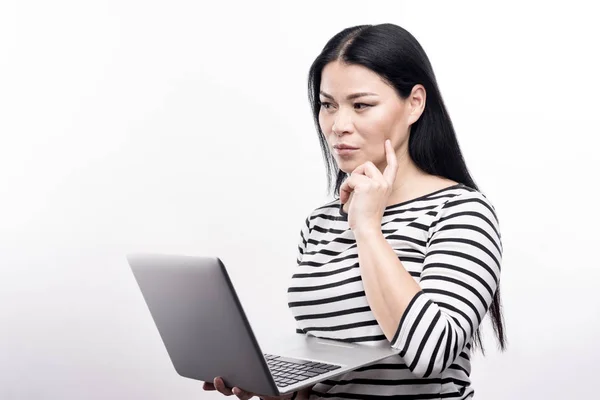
359,109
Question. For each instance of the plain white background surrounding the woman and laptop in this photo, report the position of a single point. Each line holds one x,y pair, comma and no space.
184,127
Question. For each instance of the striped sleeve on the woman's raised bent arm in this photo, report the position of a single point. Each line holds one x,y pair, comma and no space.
460,274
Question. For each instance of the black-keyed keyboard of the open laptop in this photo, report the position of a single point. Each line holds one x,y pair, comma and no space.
287,371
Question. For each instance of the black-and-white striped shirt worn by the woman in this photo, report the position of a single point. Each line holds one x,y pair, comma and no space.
449,241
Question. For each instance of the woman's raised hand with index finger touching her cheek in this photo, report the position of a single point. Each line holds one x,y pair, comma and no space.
368,191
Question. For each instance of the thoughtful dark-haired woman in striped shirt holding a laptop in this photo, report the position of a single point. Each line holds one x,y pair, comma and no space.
411,252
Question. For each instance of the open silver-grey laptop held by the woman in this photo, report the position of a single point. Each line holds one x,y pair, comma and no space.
206,333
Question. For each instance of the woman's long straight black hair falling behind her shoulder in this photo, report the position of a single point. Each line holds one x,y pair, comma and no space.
395,55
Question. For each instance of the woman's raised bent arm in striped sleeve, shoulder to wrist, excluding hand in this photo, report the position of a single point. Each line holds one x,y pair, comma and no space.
432,321
